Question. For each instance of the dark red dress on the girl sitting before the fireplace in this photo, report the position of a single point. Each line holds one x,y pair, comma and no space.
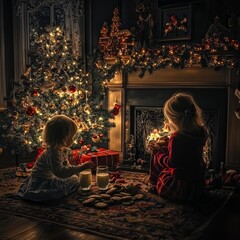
178,171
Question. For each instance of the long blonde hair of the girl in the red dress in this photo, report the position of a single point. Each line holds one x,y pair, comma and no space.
184,112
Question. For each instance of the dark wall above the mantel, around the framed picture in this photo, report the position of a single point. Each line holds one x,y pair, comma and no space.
203,13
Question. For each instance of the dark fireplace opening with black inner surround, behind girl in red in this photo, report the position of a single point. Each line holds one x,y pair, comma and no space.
144,114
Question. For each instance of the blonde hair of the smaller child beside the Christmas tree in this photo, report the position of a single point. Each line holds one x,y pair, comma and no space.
58,131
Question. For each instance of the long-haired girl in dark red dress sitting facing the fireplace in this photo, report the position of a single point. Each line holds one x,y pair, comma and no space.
177,167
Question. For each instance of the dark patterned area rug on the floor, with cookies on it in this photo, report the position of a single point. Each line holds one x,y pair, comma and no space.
128,212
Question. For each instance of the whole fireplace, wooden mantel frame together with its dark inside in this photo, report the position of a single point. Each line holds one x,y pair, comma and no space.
142,97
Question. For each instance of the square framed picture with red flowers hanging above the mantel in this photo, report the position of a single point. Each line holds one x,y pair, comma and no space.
175,23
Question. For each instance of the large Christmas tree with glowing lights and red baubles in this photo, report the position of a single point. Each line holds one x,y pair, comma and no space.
54,83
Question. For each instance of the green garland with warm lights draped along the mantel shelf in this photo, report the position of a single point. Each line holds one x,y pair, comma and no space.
212,52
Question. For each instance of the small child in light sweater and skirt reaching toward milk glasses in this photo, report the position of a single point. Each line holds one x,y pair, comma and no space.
52,176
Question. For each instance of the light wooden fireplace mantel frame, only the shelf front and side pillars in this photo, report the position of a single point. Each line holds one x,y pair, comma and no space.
194,77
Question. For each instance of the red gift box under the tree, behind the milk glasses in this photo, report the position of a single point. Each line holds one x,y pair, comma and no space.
101,157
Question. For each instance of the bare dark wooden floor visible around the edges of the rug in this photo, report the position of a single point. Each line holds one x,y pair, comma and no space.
227,226
